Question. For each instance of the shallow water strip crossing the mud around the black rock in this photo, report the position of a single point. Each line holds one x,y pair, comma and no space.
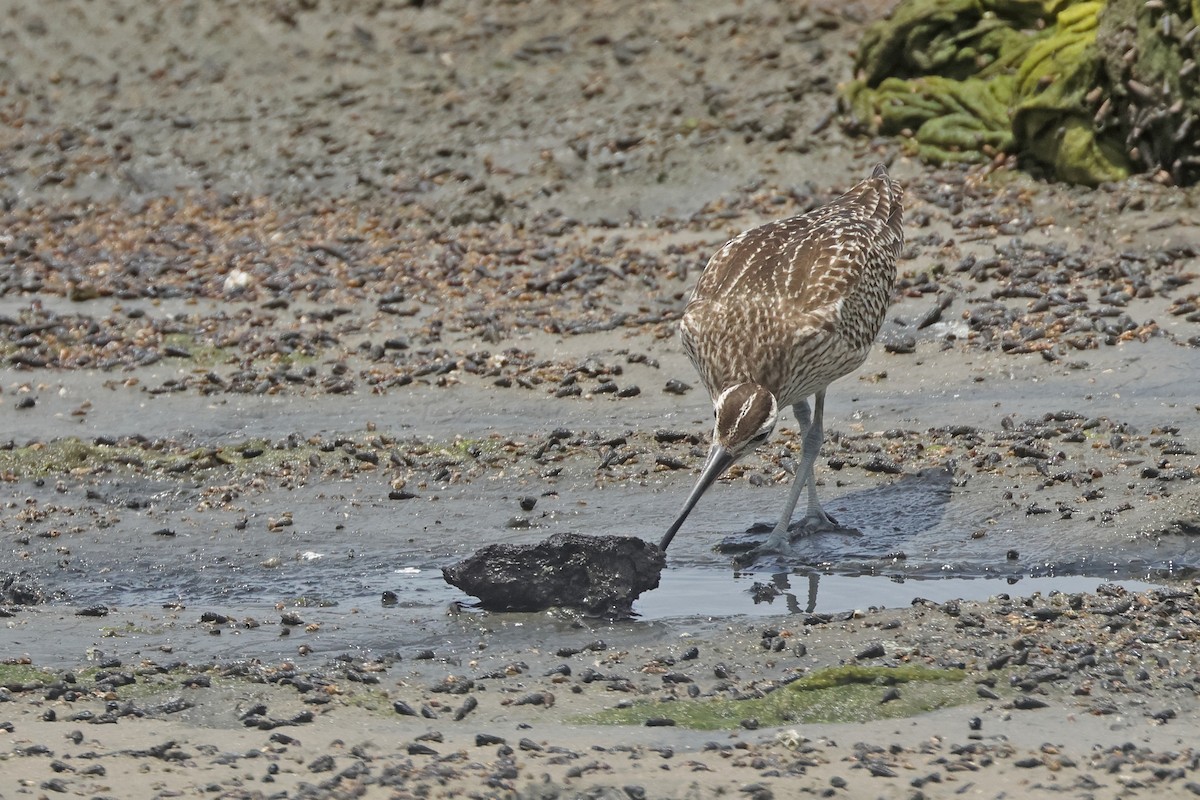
922,537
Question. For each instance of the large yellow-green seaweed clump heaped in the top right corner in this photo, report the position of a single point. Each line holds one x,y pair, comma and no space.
1090,92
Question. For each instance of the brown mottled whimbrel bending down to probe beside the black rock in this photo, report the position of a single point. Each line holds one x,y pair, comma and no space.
779,314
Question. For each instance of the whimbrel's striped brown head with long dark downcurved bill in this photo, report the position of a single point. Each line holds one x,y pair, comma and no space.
746,417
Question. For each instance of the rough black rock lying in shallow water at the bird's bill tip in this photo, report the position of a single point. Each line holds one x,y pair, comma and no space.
598,575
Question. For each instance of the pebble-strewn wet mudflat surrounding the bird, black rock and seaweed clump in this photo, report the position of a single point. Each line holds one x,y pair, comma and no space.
299,303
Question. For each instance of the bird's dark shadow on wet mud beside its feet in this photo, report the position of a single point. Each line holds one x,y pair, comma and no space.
886,516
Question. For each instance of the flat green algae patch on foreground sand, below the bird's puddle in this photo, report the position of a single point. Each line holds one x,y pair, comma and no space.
850,694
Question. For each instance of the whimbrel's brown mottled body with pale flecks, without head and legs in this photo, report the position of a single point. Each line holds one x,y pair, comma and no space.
796,304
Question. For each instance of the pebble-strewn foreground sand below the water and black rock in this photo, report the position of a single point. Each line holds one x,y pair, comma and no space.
1072,696
